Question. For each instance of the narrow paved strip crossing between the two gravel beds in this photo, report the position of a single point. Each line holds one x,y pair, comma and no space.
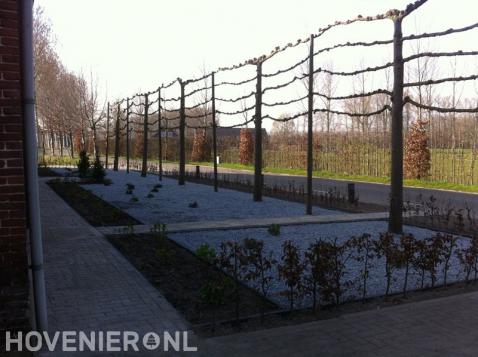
250,223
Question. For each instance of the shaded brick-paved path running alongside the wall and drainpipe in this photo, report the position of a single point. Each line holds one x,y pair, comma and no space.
90,285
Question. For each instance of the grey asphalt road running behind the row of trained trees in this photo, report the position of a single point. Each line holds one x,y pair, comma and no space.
367,192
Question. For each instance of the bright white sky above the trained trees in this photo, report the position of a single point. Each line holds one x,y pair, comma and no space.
136,45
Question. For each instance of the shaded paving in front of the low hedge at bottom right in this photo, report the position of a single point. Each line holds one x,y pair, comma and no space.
440,327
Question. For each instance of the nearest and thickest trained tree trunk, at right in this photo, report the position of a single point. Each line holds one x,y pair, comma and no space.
396,195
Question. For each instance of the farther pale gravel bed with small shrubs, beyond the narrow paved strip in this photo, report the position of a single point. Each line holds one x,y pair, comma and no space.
171,203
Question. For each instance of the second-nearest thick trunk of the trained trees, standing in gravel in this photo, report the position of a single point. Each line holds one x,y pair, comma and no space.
258,137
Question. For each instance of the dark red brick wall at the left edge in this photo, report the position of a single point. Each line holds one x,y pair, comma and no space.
13,247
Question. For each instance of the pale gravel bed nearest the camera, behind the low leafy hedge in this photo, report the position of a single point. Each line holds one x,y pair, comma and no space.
304,235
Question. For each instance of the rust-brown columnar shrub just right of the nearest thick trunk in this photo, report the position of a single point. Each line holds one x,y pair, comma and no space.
417,161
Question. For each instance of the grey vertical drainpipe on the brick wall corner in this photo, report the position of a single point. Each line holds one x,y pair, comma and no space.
31,171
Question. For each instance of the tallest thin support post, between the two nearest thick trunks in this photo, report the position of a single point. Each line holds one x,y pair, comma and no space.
310,117
